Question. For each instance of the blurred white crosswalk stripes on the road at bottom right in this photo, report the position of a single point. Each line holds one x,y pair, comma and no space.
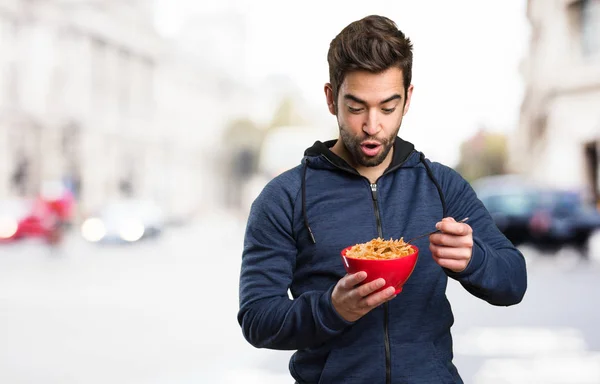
530,355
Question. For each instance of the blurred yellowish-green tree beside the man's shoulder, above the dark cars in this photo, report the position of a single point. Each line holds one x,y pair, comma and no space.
485,154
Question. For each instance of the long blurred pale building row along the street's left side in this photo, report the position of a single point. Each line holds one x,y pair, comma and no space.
92,95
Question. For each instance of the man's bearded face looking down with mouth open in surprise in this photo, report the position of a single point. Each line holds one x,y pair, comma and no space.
369,110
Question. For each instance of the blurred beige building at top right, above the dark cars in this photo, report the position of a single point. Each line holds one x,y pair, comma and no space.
559,137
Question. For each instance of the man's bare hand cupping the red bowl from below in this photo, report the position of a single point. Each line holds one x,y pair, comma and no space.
352,300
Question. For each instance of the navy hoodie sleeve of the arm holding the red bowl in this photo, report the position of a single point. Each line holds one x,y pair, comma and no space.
268,317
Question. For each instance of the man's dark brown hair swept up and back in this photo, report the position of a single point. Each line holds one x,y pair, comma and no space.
372,44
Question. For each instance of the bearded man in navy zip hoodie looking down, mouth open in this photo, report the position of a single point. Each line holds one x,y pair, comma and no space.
369,183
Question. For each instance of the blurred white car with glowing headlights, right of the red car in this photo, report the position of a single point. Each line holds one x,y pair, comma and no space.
124,221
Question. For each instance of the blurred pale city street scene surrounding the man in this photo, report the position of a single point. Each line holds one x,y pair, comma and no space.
134,135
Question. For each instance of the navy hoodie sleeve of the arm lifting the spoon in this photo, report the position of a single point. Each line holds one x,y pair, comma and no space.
497,271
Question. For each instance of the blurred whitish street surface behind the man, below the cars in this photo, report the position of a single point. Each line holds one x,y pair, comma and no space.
164,311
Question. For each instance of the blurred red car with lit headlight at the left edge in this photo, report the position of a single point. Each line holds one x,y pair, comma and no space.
23,218
